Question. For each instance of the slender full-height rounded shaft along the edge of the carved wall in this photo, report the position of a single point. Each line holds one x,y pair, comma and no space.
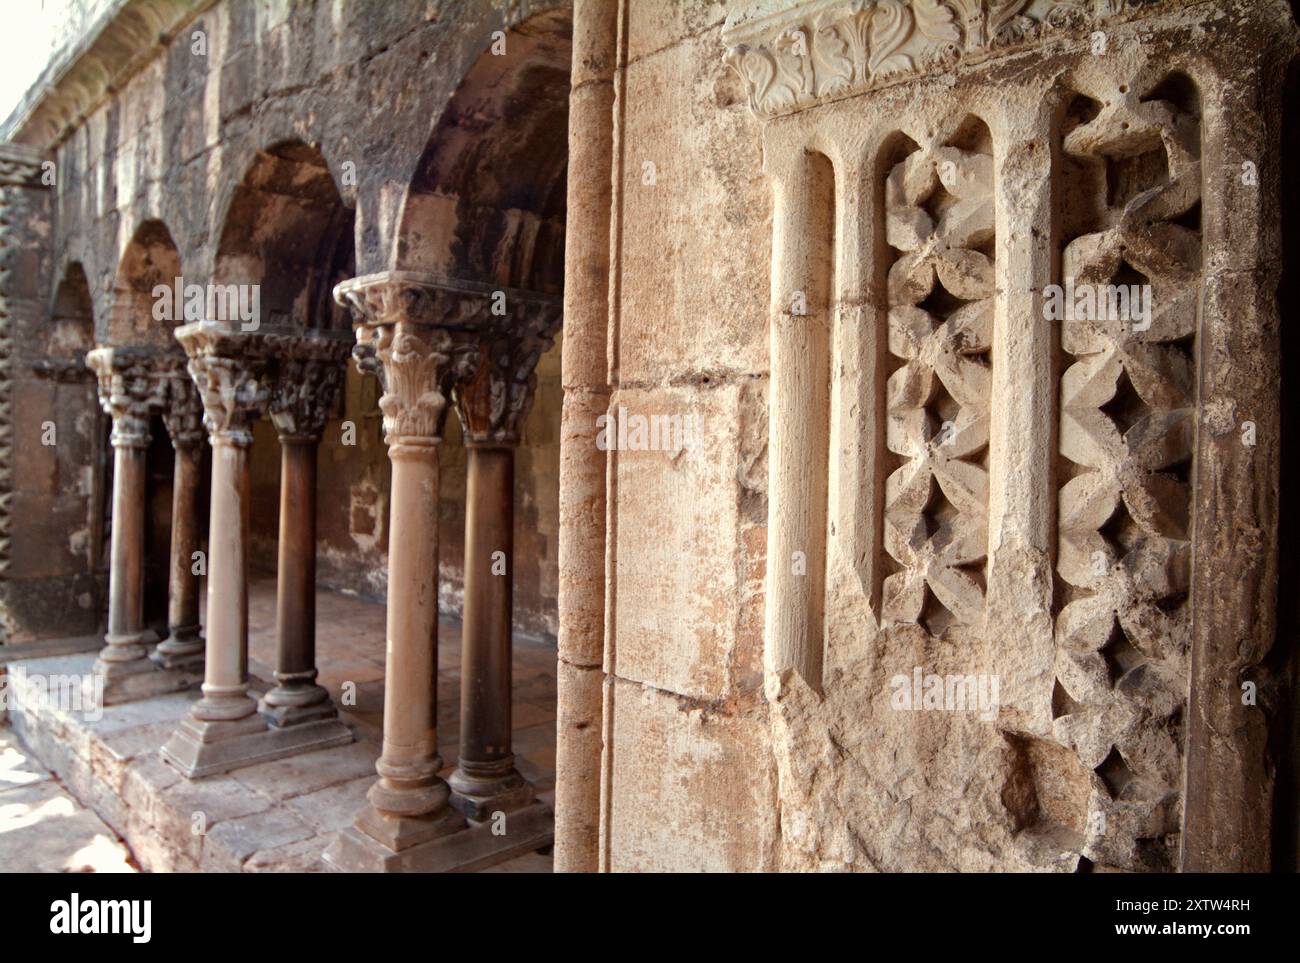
587,375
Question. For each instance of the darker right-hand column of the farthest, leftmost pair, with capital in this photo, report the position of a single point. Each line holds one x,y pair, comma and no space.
183,414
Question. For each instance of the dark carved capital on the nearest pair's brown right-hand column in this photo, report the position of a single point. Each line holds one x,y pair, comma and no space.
495,400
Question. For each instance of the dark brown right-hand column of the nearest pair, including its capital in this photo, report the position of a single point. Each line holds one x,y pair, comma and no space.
493,405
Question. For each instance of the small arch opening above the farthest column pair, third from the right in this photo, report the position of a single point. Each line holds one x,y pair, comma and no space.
151,261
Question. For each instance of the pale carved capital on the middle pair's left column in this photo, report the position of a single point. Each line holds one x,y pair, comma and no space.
232,372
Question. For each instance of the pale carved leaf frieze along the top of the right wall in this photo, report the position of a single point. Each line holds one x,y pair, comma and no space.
831,49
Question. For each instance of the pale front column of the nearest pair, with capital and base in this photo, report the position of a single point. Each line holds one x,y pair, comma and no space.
422,332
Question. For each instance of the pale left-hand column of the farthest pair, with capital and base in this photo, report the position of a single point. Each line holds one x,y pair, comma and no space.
131,388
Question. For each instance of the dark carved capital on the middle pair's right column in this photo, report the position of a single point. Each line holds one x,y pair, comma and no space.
309,374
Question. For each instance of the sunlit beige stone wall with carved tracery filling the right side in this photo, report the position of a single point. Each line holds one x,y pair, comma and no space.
840,254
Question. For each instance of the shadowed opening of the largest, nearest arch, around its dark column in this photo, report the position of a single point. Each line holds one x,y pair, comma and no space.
487,203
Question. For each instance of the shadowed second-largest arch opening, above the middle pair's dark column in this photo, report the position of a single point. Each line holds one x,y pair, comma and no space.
289,235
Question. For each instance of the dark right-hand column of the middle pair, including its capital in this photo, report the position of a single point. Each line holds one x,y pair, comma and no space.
306,388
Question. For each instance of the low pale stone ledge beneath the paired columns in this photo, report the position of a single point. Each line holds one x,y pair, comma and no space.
276,817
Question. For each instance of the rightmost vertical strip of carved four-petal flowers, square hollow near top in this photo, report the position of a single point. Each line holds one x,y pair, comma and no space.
1130,201
